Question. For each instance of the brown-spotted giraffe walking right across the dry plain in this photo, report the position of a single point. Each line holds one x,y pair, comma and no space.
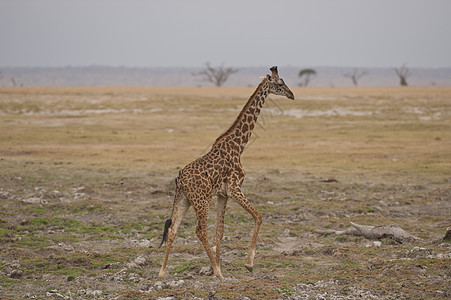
220,173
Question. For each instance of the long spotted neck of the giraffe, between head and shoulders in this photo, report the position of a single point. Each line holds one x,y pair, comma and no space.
240,131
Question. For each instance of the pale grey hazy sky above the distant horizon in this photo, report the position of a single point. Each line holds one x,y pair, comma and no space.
360,33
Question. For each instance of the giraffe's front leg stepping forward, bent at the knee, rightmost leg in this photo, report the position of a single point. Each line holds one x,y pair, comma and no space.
239,197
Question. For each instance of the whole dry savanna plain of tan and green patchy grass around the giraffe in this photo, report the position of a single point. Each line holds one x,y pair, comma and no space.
87,179
